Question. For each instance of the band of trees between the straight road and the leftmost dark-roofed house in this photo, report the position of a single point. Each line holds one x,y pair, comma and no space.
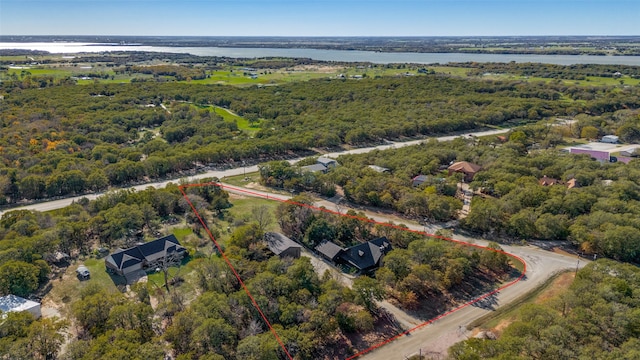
31,241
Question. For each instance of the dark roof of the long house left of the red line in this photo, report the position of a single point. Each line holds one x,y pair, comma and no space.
123,259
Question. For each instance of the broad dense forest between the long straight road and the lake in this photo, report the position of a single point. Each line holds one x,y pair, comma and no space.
119,134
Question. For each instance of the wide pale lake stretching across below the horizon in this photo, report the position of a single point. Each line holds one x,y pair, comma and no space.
330,55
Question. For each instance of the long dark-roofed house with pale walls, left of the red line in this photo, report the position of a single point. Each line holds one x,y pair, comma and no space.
153,254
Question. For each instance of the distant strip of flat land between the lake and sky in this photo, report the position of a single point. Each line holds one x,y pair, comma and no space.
499,45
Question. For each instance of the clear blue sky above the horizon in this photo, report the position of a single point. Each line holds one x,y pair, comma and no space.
320,17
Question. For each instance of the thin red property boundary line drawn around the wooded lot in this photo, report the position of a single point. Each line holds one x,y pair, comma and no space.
419,326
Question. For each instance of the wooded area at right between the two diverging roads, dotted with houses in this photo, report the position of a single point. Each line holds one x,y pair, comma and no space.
599,215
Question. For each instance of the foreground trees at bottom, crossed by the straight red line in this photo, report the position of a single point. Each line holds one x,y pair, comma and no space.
313,316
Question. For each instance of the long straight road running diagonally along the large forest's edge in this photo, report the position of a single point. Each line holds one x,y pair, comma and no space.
57,204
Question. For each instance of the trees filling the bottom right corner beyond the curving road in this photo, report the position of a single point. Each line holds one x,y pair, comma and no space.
597,318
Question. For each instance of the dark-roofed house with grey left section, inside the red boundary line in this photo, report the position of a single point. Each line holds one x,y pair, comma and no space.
363,257
